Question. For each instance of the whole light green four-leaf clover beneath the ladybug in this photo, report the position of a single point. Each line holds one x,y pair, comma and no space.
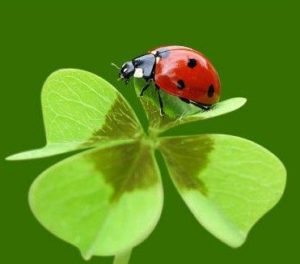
108,198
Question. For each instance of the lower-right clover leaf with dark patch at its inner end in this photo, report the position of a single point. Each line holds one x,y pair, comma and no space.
227,182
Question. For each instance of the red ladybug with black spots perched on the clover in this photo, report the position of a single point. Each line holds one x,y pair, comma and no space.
179,71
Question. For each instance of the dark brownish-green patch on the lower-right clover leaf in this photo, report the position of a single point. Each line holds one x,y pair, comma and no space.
186,157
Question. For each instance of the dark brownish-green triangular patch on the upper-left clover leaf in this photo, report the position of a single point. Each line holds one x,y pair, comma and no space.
120,123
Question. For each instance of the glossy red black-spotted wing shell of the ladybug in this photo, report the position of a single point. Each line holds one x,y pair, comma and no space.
186,73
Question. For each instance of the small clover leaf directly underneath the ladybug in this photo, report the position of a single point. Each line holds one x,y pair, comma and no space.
178,112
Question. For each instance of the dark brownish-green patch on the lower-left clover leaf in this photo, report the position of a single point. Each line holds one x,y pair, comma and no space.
125,167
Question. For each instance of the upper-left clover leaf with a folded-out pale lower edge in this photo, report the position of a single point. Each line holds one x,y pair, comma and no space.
82,110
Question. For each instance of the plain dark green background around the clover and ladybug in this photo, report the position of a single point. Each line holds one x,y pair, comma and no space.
253,45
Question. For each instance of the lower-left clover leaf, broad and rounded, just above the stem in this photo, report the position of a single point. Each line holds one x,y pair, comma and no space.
104,201
